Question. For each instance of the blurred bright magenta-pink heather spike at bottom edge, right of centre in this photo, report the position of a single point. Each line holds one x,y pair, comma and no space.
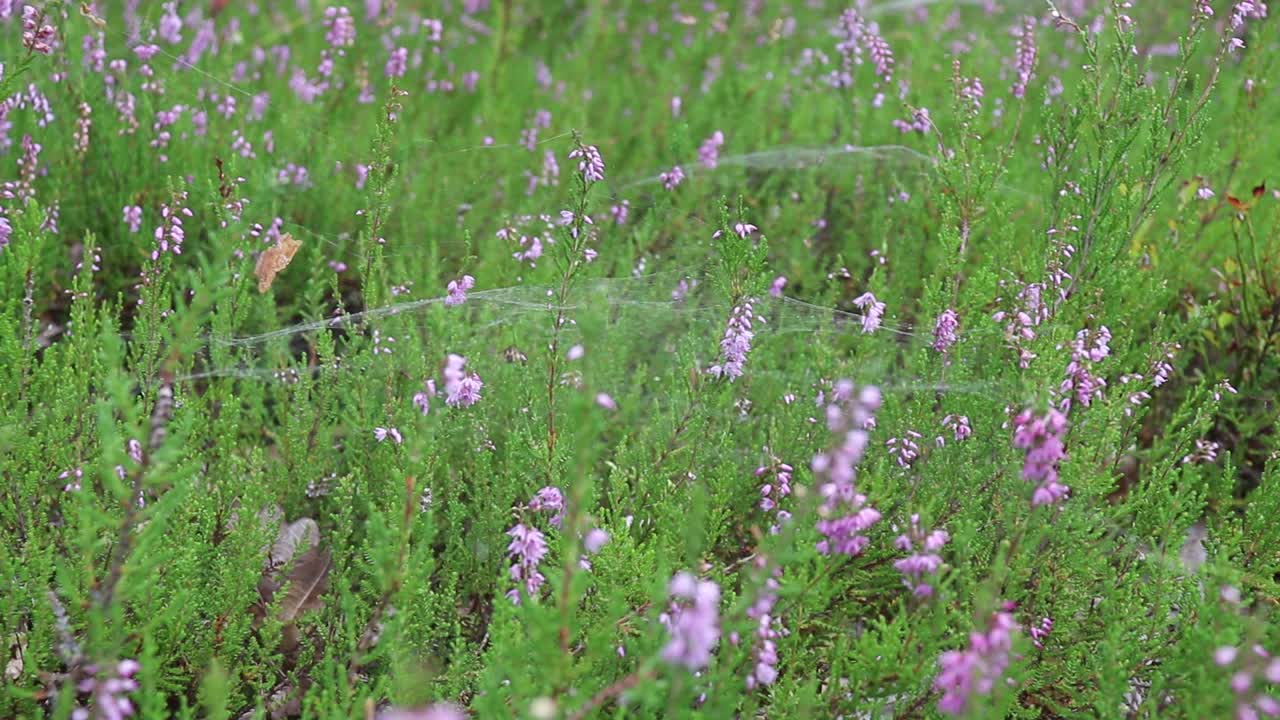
976,671
